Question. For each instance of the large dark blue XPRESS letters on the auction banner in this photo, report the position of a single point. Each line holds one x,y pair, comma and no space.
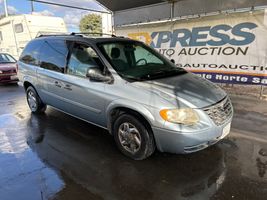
199,36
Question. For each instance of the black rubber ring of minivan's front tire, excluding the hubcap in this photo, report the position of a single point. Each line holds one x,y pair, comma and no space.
146,143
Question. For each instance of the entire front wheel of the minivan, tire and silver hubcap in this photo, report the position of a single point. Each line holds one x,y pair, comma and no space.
133,138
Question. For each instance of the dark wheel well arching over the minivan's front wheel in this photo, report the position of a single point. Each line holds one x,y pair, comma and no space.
116,112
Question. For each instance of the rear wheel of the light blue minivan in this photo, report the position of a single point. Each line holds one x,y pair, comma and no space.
35,103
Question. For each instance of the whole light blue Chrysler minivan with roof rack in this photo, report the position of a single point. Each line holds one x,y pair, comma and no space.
126,87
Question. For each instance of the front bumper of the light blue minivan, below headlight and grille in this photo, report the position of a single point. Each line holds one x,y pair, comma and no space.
189,142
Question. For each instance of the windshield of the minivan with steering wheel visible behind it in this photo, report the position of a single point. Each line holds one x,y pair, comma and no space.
136,61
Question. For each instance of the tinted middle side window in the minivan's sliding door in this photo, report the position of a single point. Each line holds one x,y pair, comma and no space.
54,55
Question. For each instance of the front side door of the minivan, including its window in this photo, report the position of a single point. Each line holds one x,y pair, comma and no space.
85,98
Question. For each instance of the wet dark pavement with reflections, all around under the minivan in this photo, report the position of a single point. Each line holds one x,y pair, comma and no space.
55,156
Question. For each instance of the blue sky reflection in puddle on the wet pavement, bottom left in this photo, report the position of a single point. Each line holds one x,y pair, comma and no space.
23,174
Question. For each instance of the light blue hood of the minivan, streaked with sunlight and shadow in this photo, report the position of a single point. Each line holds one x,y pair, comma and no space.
188,89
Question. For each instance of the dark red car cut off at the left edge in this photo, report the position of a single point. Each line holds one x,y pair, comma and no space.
8,69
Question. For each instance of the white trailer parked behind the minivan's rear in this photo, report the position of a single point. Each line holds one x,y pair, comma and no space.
16,31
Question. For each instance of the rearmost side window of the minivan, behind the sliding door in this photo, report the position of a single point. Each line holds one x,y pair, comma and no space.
31,53
